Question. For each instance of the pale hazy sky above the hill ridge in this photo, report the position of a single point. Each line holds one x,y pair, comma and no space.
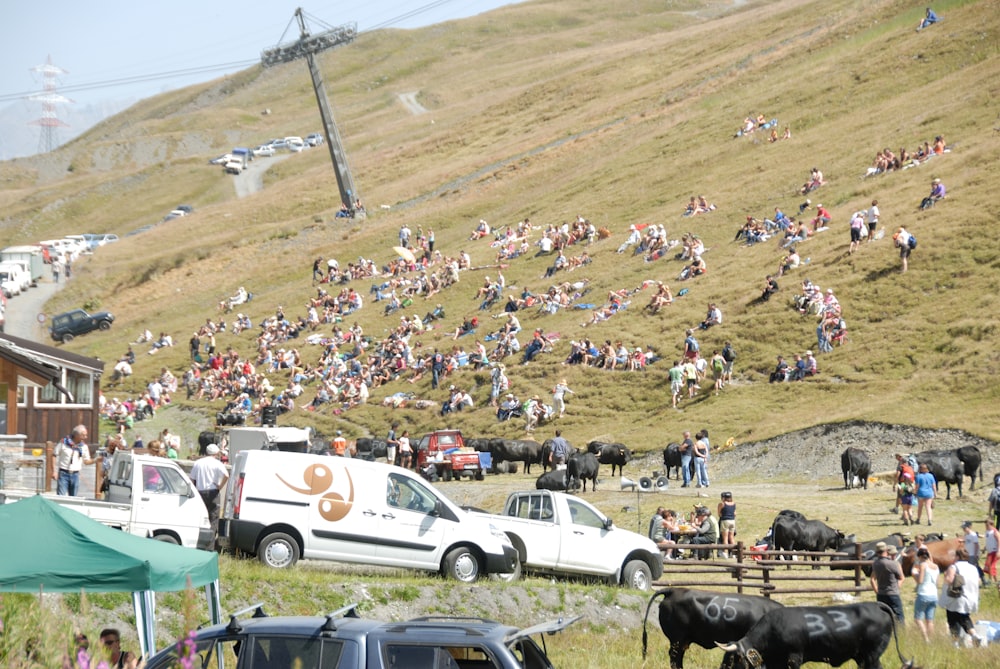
99,41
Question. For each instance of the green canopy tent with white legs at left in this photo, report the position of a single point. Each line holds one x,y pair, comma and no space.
64,551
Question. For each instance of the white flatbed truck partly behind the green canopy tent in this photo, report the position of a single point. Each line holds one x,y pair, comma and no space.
147,496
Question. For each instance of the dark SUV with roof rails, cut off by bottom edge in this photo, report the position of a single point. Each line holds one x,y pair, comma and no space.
342,640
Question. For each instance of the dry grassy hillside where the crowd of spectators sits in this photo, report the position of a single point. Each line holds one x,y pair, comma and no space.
618,112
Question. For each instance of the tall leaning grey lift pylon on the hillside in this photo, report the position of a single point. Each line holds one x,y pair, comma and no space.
307,46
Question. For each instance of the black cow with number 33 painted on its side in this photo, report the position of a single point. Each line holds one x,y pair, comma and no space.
790,636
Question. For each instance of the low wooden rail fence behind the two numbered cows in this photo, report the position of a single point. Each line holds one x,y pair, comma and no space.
772,572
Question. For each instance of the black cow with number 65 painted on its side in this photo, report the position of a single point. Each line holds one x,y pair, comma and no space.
705,618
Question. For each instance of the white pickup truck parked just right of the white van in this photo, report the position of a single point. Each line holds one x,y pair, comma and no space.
558,533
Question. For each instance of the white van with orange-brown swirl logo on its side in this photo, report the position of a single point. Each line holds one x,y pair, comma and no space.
282,506
